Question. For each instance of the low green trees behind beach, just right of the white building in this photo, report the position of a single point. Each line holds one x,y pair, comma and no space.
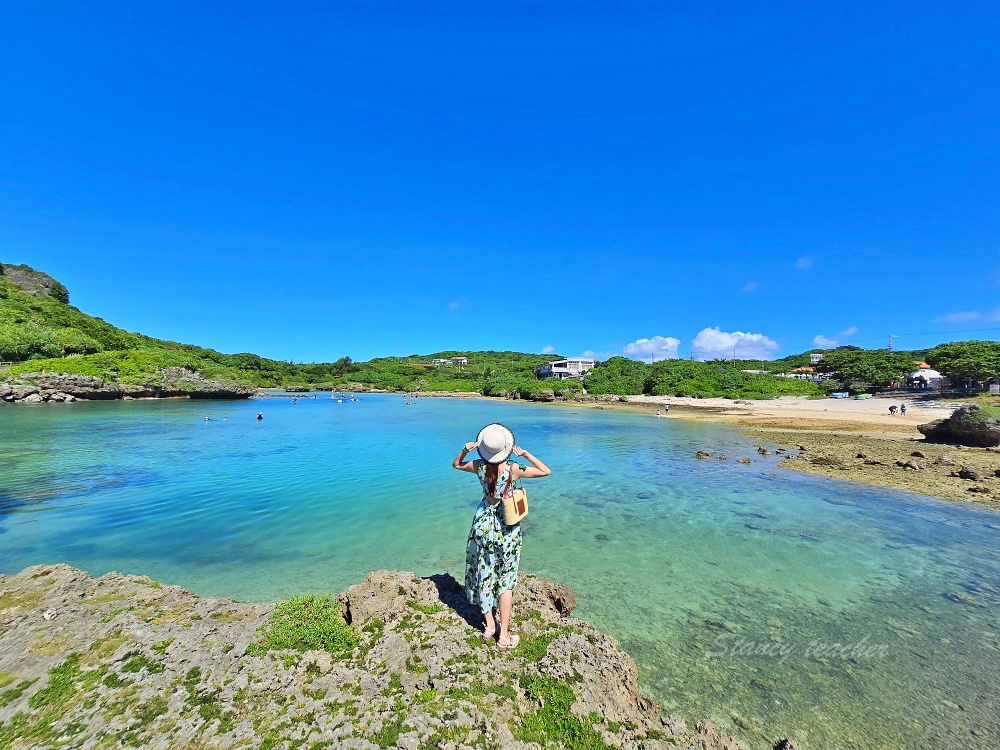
678,377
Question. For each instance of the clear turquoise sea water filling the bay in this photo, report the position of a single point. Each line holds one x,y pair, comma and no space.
730,585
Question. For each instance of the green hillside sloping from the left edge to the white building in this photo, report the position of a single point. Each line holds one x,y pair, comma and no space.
41,331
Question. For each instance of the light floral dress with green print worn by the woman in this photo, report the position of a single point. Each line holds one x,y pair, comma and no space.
494,549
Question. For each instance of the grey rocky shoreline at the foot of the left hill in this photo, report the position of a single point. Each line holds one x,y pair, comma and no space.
169,382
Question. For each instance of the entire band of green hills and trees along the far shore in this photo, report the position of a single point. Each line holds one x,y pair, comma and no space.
41,331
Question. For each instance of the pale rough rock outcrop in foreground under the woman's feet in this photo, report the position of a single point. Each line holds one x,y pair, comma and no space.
125,661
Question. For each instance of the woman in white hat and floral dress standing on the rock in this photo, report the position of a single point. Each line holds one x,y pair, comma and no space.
494,548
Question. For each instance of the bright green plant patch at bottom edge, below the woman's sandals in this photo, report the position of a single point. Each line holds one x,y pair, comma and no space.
554,724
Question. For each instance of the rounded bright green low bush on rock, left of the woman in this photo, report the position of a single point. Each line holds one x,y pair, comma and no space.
305,623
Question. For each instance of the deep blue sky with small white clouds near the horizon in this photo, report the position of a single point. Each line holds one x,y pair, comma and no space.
311,180
